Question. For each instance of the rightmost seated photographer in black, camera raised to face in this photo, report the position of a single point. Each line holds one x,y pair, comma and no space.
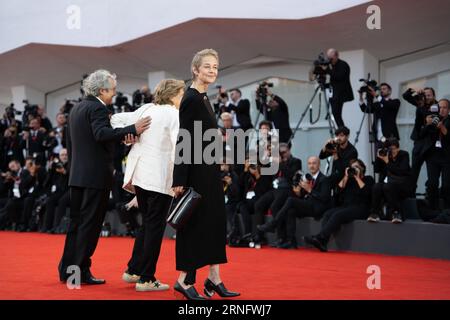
394,181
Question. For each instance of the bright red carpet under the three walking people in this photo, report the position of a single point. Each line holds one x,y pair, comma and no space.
28,264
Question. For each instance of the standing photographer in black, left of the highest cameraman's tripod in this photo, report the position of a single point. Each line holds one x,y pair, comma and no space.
276,110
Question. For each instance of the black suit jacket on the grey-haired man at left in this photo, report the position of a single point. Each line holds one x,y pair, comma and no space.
90,143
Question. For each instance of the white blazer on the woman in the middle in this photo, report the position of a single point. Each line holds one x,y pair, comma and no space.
151,160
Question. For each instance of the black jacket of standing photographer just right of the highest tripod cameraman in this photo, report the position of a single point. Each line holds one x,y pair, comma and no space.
386,111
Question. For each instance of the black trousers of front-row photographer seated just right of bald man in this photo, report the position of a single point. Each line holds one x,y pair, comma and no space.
335,217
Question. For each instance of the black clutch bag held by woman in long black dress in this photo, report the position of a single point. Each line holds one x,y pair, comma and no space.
183,209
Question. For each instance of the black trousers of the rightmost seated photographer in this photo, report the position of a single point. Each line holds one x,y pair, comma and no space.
391,193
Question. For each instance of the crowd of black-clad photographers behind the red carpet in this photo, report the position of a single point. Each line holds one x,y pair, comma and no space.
34,193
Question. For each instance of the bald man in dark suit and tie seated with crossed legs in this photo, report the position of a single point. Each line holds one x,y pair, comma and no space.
311,198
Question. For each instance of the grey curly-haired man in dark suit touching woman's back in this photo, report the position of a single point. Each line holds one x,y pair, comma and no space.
91,142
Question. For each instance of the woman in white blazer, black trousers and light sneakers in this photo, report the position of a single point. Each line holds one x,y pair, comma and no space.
148,174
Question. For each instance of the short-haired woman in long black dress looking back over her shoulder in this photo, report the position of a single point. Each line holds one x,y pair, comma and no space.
202,240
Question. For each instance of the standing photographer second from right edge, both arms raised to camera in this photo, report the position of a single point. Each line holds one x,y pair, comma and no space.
422,99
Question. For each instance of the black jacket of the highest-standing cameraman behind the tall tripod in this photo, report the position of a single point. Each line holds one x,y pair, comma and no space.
340,81
